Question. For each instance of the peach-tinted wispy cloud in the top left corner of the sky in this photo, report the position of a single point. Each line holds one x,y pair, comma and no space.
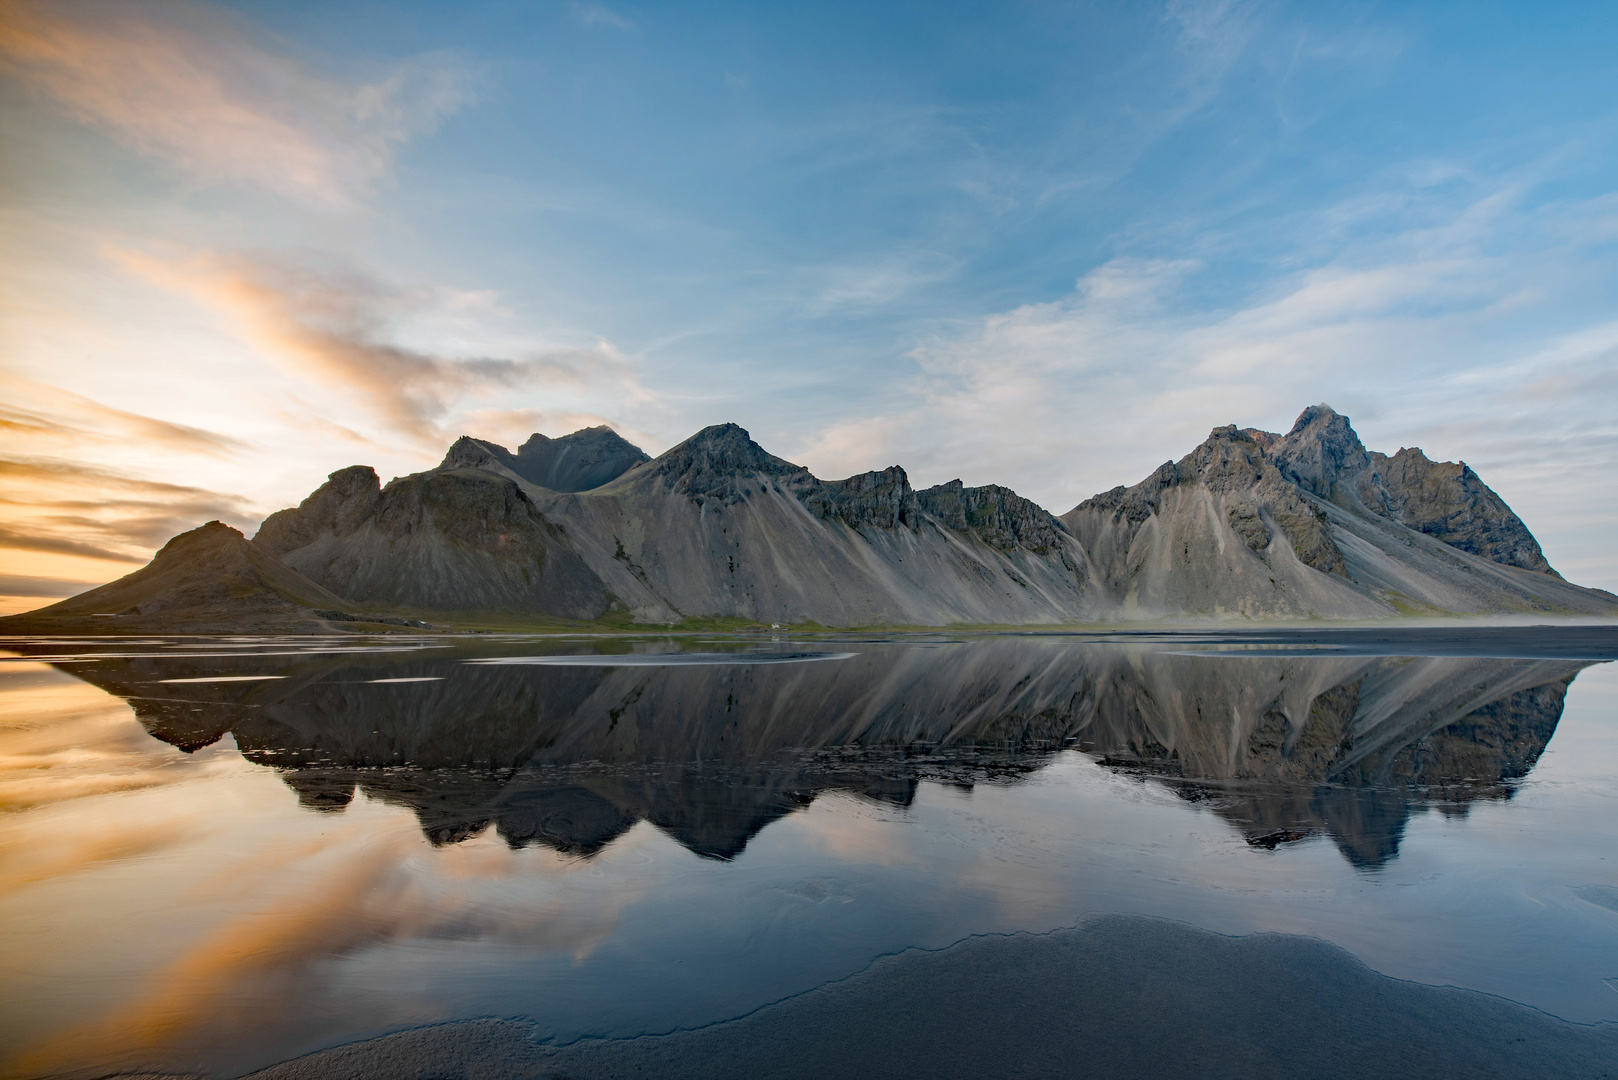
198,88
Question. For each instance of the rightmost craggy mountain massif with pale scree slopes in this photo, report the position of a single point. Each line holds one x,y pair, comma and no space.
1313,525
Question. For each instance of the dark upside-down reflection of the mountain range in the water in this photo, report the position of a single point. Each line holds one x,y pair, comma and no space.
572,757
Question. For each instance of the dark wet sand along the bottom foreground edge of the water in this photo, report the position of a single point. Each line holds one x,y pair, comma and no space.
1119,997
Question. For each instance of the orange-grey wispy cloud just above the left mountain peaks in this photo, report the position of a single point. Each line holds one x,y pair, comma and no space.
341,328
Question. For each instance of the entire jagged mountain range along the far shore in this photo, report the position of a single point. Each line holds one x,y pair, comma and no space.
588,529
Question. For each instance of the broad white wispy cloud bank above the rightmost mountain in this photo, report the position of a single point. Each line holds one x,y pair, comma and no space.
1425,339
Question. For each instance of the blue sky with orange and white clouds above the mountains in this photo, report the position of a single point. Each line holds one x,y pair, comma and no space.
1041,245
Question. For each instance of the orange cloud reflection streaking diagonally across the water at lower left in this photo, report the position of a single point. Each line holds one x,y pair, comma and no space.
360,890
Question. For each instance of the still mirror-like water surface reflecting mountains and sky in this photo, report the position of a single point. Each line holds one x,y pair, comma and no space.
221,854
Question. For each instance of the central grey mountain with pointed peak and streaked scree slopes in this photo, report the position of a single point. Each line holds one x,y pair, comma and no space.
718,527
